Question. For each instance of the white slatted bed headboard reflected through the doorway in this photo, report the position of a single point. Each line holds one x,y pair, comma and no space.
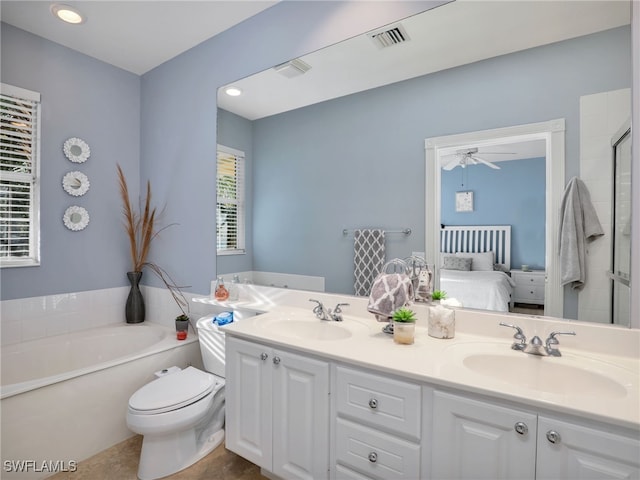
478,239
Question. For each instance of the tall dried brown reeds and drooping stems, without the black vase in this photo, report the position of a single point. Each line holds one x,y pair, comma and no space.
141,230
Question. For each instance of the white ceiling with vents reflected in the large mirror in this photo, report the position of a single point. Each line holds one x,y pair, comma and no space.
451,35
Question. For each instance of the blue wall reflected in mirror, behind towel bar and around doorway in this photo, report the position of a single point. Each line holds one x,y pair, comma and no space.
359,160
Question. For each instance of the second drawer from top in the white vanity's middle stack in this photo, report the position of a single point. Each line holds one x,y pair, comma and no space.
375,454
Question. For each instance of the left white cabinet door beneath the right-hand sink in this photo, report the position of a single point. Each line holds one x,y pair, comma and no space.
479,440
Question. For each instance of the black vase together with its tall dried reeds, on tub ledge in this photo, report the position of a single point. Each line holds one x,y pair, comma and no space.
141,230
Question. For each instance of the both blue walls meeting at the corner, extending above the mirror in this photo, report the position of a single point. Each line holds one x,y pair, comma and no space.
161,127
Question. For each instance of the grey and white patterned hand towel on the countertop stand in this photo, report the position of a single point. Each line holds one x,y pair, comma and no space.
390,291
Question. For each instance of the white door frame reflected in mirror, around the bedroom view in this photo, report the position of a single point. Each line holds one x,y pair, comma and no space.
553,132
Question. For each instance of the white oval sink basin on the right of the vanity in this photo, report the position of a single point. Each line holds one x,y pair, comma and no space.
566,375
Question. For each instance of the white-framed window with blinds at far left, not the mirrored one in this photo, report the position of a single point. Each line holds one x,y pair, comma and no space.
19,185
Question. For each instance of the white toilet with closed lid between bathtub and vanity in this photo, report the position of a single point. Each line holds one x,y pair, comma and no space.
181,414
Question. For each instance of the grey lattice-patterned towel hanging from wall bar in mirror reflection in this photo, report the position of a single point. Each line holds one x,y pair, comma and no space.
368,248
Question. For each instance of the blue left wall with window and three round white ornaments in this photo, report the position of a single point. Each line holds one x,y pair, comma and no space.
81,97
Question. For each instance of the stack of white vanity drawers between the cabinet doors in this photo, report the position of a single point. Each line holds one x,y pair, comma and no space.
377,426
